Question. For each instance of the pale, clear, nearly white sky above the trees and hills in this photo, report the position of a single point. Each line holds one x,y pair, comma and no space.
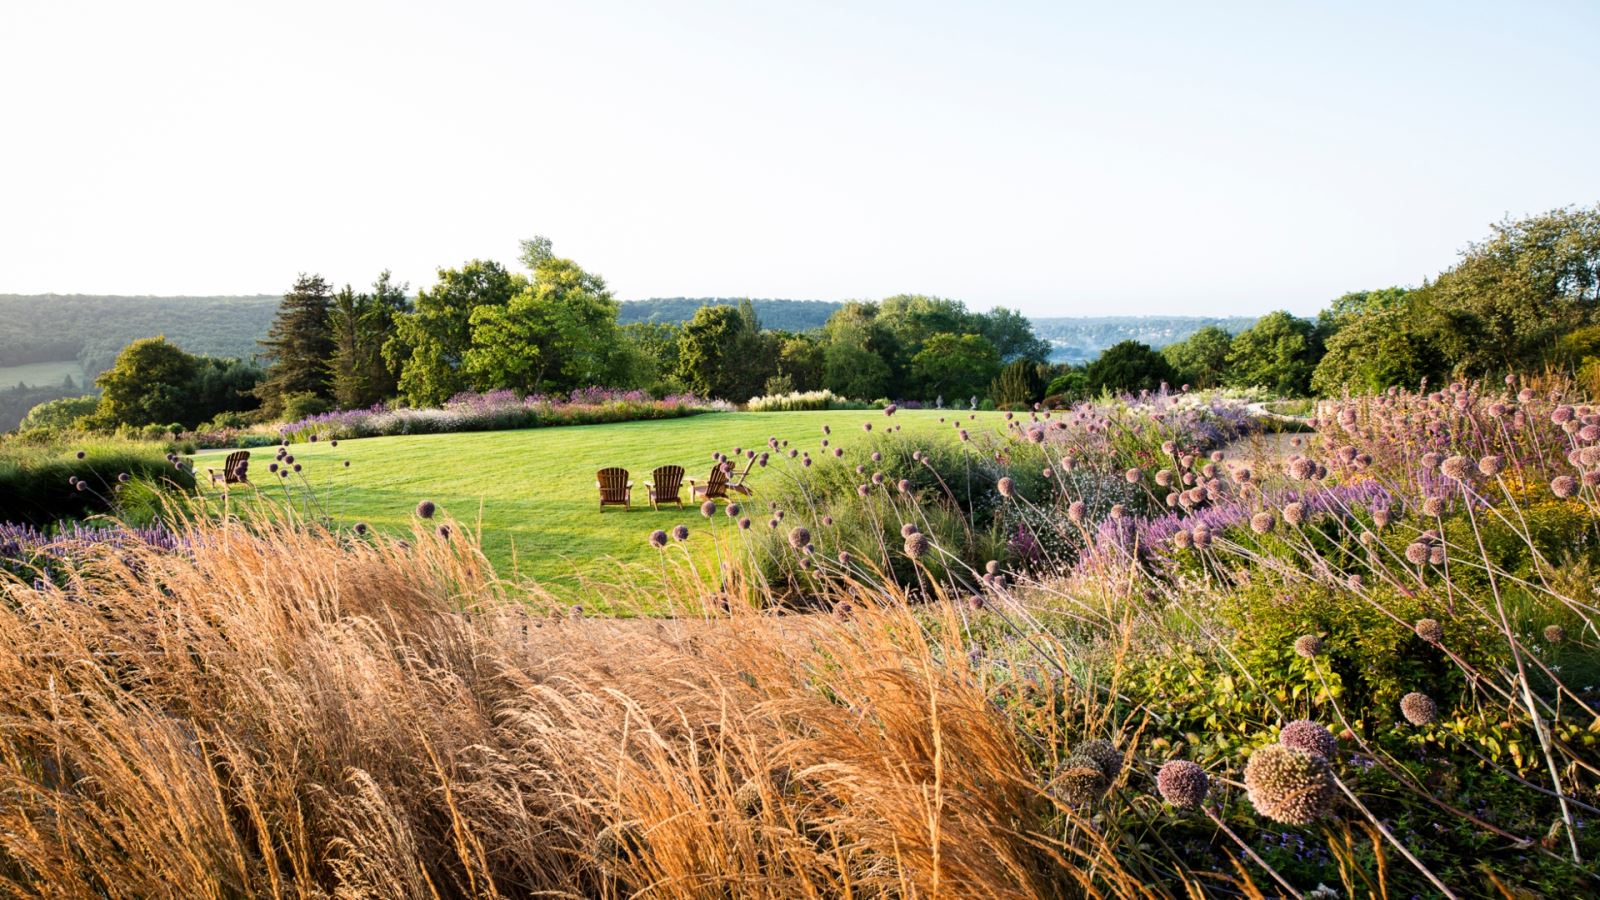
1065,159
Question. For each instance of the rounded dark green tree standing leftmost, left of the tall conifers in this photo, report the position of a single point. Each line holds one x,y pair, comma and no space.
148,385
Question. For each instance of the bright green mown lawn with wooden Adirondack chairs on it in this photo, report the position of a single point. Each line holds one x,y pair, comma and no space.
534,489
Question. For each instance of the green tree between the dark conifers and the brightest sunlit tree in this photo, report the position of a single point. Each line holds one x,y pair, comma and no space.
431,342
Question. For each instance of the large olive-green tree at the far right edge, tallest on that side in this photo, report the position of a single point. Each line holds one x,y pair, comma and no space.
1505,305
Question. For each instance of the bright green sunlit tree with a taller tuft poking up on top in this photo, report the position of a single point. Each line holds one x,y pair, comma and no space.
558,334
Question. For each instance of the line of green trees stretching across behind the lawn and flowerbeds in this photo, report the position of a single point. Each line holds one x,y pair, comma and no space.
1518,302
